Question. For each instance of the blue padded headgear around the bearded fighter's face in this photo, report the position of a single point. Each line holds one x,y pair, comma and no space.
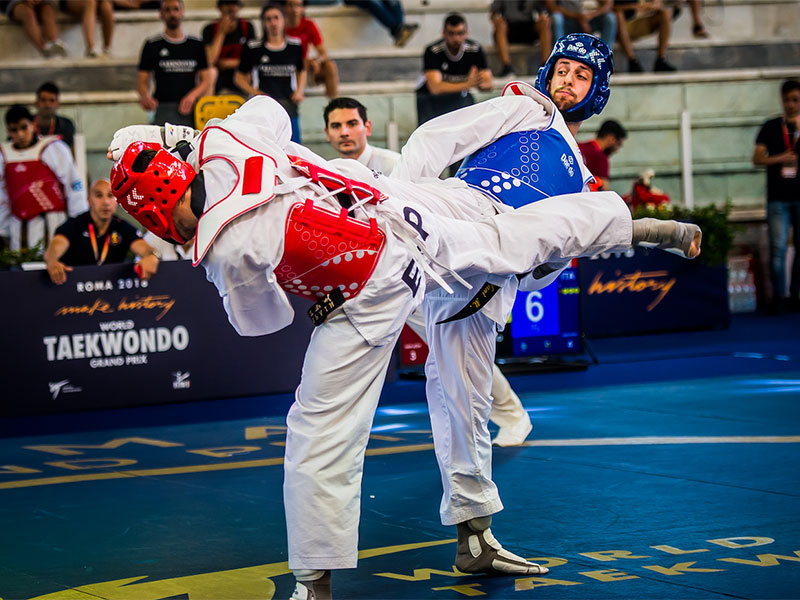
594,53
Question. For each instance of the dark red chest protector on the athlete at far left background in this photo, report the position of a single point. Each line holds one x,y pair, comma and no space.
32,186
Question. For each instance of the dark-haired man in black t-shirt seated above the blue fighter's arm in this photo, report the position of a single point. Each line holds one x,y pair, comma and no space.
451,67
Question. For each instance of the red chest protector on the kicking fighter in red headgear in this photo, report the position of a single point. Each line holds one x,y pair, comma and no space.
323,249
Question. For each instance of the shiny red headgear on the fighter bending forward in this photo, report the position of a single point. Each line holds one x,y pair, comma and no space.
149,191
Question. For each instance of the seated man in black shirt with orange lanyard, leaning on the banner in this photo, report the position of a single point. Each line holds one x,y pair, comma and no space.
97,237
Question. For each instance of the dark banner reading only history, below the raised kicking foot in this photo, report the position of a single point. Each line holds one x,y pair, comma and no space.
648,291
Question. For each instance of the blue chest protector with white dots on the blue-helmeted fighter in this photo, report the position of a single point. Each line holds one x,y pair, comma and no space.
523,167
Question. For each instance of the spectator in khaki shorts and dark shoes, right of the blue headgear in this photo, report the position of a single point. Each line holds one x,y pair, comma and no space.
637,19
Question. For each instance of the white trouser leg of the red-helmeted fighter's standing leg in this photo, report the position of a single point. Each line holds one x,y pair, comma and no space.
328,429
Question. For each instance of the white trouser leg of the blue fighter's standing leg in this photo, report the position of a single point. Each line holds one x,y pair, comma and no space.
459,380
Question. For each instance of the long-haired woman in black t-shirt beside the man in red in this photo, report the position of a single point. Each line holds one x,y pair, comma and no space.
274,66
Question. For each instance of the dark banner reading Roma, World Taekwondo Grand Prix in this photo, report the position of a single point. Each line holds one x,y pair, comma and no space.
108,339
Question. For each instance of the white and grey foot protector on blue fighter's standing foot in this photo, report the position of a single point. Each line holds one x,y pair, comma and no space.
480,552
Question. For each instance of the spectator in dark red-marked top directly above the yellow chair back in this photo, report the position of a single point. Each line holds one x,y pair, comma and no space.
224,39
